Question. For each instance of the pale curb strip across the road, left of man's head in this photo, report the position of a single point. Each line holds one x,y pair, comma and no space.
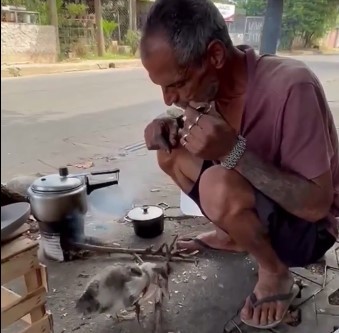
30,70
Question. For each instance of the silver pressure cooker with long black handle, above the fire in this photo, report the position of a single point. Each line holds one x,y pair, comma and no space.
61,196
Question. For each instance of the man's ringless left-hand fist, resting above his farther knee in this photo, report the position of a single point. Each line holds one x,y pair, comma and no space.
162,134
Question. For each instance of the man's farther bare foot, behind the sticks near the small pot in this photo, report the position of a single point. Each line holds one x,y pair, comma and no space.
216,240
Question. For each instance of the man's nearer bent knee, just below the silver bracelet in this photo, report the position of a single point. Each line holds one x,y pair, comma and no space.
224,193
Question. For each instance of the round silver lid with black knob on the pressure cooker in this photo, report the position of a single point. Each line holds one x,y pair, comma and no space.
56,183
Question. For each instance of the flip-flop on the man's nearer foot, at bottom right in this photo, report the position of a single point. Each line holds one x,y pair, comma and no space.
295,291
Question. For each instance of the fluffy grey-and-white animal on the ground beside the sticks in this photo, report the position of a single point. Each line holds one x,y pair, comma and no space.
120,287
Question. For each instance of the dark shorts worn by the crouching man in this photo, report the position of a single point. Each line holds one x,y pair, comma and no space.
297,242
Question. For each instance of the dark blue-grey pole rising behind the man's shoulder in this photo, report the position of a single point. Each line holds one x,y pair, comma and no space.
272,26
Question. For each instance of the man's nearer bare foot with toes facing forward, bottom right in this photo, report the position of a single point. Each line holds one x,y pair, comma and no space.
269,285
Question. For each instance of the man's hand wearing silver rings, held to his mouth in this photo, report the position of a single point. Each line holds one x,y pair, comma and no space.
207,135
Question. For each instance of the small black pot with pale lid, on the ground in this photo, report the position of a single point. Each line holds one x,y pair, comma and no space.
148,221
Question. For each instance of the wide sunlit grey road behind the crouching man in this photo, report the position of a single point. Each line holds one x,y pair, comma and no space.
52,120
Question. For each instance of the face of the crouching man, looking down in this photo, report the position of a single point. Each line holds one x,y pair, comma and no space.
180,86
